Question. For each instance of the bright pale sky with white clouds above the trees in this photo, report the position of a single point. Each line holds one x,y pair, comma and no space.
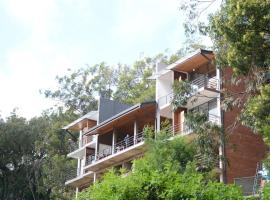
40,39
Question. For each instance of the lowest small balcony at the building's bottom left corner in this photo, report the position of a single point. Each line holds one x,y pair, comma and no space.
75,180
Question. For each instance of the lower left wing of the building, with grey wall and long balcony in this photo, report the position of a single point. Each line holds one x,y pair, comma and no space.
109,137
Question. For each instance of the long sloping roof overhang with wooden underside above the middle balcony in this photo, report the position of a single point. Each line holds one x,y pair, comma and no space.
136,111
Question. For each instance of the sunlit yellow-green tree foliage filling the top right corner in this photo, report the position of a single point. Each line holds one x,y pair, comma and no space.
239,32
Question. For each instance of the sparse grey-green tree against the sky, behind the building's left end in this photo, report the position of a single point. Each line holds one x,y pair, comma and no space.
78,90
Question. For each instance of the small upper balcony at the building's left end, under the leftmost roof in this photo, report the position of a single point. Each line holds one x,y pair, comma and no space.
78,152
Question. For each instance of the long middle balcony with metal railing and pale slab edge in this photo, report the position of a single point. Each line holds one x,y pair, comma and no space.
126,149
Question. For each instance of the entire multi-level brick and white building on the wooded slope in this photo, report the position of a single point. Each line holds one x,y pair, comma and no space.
112,135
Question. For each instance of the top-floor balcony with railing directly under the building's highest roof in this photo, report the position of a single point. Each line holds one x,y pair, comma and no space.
204,88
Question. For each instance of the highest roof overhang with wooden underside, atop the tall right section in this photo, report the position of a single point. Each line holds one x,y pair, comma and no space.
192,61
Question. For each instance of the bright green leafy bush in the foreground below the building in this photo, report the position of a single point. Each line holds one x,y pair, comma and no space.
167,171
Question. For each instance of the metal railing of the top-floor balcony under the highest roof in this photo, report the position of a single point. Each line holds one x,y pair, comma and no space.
200,82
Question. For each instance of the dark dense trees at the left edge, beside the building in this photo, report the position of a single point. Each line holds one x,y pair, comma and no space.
33,163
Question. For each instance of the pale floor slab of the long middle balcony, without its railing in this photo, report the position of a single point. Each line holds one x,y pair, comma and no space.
117,158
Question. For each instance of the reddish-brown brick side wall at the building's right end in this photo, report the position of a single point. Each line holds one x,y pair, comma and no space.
243,149
